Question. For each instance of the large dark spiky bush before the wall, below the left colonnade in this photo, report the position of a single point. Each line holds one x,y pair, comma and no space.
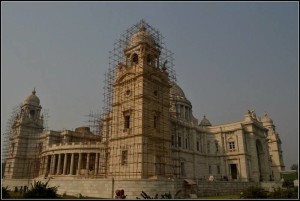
40,190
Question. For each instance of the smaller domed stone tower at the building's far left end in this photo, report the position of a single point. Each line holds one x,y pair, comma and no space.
22,156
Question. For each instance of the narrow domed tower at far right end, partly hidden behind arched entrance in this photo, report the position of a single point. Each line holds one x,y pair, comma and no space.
275,150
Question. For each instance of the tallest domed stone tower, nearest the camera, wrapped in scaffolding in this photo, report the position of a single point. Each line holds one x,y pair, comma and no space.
140,137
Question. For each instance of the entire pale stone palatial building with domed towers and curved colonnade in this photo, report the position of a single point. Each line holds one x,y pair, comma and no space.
150,132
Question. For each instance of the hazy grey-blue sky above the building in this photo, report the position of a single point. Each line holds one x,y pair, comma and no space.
229,57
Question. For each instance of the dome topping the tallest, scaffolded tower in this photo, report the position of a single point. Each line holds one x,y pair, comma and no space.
141,36
